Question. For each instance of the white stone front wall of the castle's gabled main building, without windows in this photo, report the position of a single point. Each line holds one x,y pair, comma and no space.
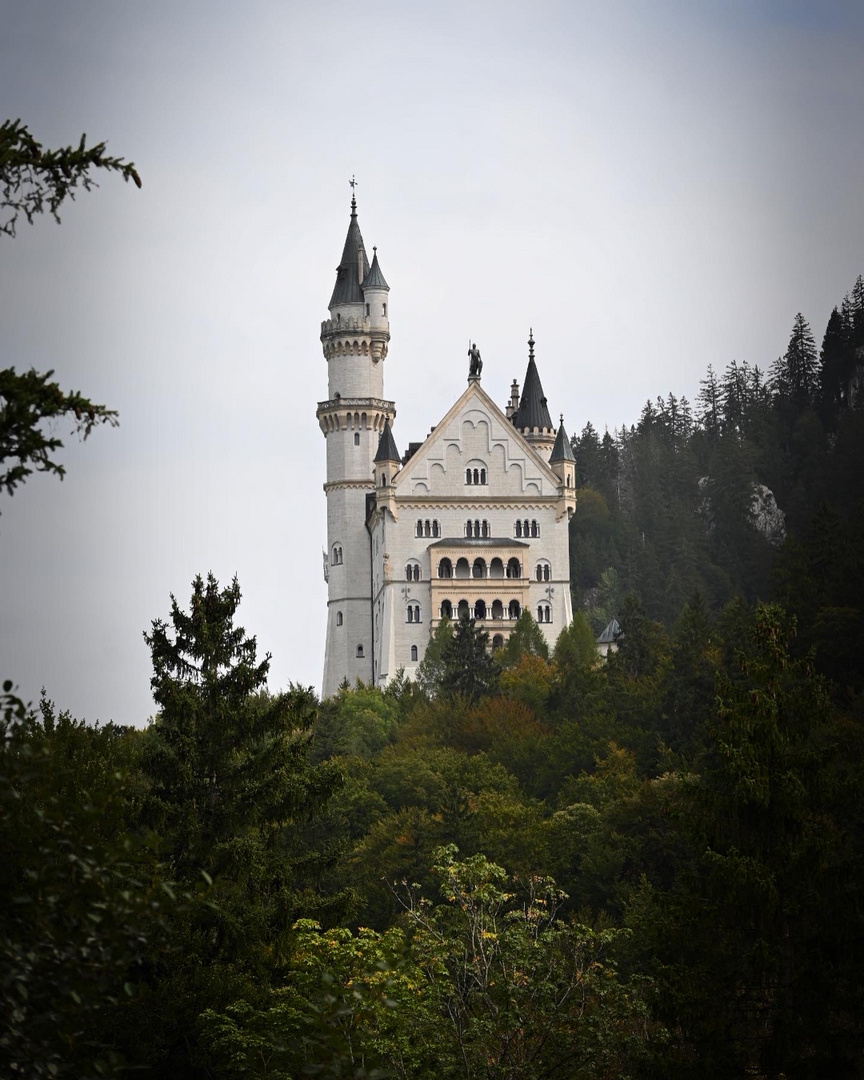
433,487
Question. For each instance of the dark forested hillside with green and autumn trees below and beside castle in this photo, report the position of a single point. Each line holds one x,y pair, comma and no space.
530,865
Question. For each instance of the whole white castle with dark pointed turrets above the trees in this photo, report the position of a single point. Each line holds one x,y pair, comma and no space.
472,520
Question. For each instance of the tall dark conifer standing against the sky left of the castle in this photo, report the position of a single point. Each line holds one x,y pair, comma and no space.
223,755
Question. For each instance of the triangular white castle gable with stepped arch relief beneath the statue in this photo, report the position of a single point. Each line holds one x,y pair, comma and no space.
476,451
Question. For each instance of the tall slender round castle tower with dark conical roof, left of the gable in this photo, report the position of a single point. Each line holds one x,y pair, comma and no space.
355,340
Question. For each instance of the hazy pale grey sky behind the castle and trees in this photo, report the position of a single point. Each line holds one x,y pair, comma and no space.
653,187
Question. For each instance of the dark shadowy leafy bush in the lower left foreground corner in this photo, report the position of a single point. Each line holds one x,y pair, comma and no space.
86,904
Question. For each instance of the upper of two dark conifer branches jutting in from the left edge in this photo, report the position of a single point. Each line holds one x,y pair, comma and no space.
34,180
